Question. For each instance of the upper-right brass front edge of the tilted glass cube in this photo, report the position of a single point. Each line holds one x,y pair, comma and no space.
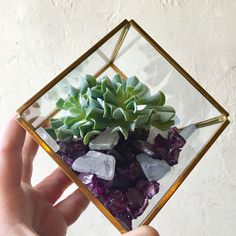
179,68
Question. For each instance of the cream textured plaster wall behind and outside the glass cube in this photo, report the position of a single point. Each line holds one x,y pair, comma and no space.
39,38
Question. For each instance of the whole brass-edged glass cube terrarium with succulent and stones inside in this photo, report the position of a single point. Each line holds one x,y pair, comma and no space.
126,123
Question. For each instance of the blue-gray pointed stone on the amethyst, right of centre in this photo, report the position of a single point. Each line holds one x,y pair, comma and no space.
154,169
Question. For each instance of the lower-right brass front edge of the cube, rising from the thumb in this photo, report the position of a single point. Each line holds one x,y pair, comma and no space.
184,175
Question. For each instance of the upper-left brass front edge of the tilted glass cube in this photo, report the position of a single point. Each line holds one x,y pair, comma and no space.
72,66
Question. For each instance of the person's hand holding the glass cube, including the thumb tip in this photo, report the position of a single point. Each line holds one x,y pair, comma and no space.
27,210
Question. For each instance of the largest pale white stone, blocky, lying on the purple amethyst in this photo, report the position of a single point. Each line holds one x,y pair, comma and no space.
98,163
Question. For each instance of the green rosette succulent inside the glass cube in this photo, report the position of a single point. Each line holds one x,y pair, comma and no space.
123,105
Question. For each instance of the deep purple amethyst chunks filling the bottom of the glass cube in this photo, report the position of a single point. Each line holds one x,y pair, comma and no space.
126,196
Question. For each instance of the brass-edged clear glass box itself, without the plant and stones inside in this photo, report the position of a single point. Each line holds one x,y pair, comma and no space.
129,51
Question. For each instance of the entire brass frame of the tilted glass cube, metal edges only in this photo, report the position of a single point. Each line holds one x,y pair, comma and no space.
110,63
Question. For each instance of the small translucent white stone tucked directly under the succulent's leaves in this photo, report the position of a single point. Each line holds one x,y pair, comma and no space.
104,141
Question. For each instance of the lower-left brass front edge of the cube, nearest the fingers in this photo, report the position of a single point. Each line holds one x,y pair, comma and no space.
71,175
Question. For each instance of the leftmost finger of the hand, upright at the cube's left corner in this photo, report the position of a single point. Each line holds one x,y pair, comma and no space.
11,143
